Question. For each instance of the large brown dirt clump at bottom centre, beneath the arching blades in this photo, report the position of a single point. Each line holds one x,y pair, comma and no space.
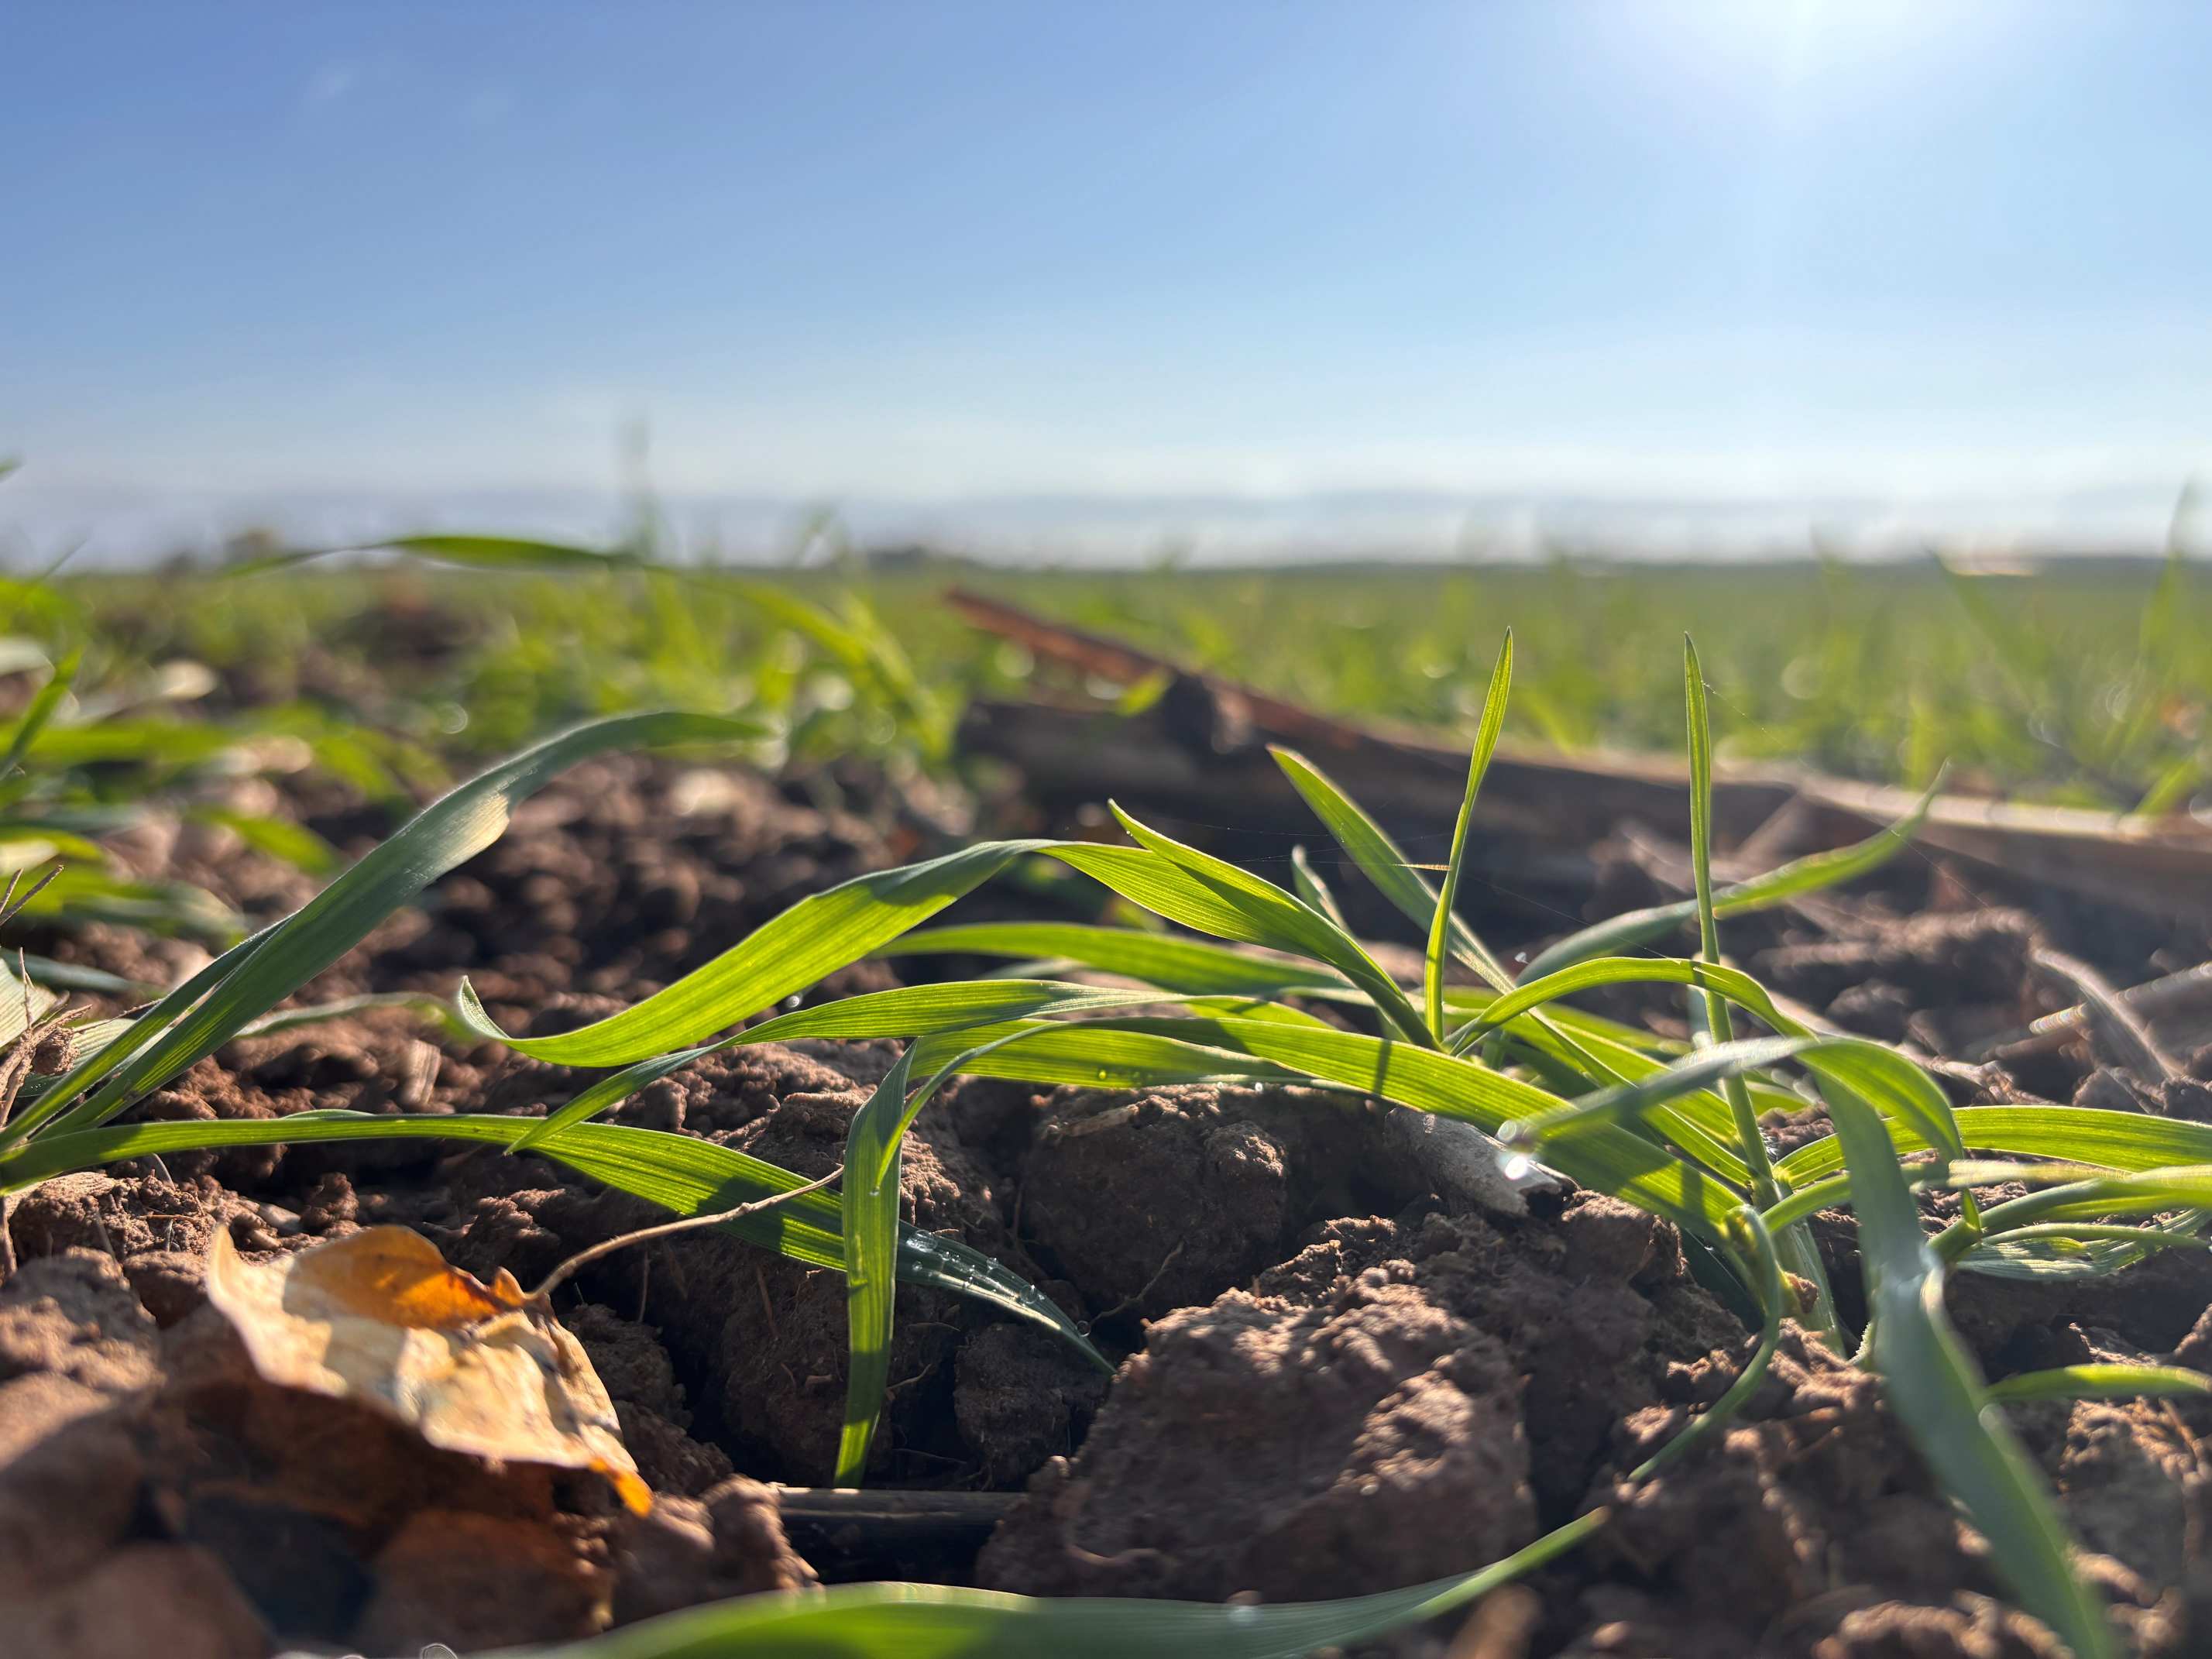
1395,1401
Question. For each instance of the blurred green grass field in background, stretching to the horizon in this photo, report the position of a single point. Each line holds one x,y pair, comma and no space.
2083,682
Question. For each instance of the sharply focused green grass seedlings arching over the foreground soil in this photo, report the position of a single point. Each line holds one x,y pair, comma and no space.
1240,983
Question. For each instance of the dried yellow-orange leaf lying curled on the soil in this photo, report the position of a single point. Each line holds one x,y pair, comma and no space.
379,1317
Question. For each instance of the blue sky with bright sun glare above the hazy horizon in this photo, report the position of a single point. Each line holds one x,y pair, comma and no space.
1129,260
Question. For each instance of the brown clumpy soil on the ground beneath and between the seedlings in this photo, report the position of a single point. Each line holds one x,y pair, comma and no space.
1328,1384
